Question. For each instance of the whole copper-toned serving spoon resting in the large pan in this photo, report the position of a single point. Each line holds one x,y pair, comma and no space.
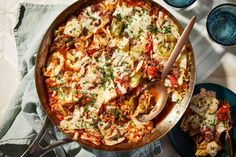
157,87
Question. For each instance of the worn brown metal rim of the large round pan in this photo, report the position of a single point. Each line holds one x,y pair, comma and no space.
41,88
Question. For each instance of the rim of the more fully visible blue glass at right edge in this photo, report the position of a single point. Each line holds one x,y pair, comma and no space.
208,18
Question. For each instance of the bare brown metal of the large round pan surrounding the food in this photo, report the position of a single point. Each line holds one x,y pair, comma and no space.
164,122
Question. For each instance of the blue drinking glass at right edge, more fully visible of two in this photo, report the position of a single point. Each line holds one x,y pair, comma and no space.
221,24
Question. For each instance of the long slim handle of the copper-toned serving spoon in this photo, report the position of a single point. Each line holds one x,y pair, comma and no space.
178,47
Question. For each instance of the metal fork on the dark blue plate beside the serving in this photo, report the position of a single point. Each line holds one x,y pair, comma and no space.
227,136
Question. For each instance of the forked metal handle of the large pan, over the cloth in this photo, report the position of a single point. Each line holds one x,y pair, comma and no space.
36,150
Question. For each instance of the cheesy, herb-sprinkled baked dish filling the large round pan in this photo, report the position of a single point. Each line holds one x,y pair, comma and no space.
99,61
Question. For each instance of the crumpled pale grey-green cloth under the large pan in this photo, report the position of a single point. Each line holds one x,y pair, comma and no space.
24,116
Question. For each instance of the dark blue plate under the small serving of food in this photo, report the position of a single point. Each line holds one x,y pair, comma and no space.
183,143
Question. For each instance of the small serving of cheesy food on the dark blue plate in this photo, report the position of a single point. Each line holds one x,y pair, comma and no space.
205,120
